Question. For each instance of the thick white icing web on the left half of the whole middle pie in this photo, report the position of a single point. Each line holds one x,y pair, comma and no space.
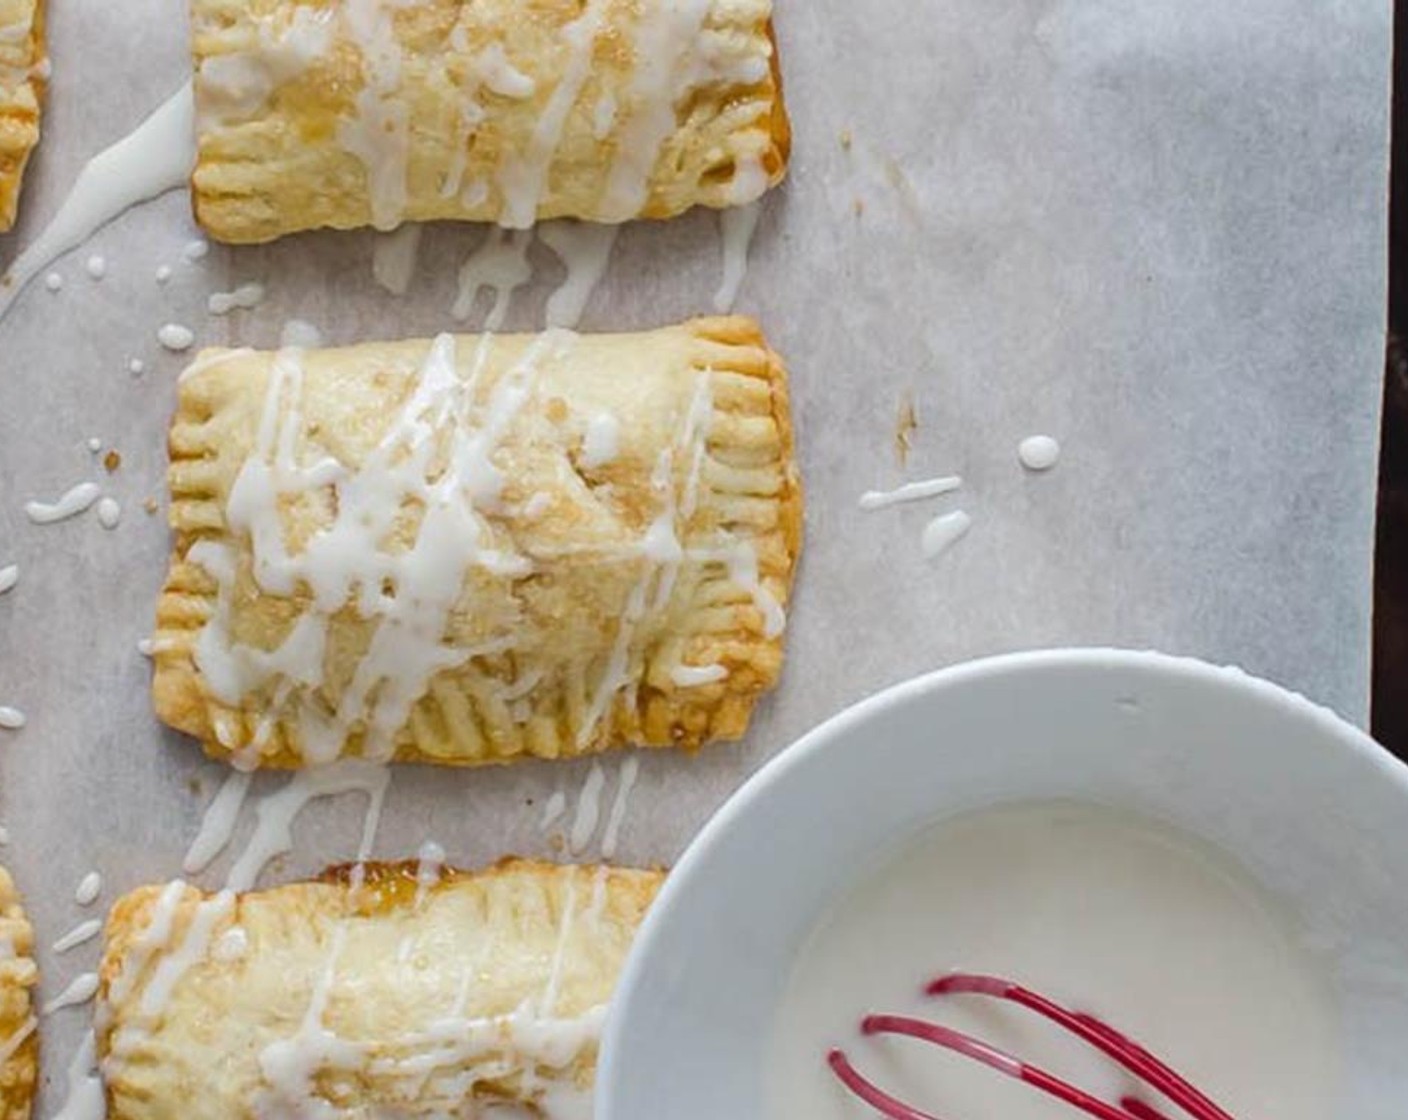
344,563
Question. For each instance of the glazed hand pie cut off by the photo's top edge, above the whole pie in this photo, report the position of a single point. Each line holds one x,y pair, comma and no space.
326,113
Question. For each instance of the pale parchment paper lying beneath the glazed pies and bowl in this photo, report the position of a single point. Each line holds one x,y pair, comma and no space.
1154,232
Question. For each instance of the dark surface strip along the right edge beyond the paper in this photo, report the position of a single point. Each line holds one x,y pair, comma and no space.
1390,701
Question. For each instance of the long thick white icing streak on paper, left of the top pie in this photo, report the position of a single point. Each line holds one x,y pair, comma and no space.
154,158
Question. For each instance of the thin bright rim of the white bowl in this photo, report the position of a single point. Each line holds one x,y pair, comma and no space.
834,729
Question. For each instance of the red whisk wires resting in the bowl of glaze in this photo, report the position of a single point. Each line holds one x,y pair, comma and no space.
1106,1039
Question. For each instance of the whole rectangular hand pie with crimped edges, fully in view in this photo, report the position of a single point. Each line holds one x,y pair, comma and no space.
471,550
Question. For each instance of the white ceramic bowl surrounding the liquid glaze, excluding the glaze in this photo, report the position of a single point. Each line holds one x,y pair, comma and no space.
1309,805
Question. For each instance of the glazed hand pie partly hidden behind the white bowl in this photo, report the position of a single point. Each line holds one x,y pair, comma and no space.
371,994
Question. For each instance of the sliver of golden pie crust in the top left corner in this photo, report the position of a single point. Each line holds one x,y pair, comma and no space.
23,73
